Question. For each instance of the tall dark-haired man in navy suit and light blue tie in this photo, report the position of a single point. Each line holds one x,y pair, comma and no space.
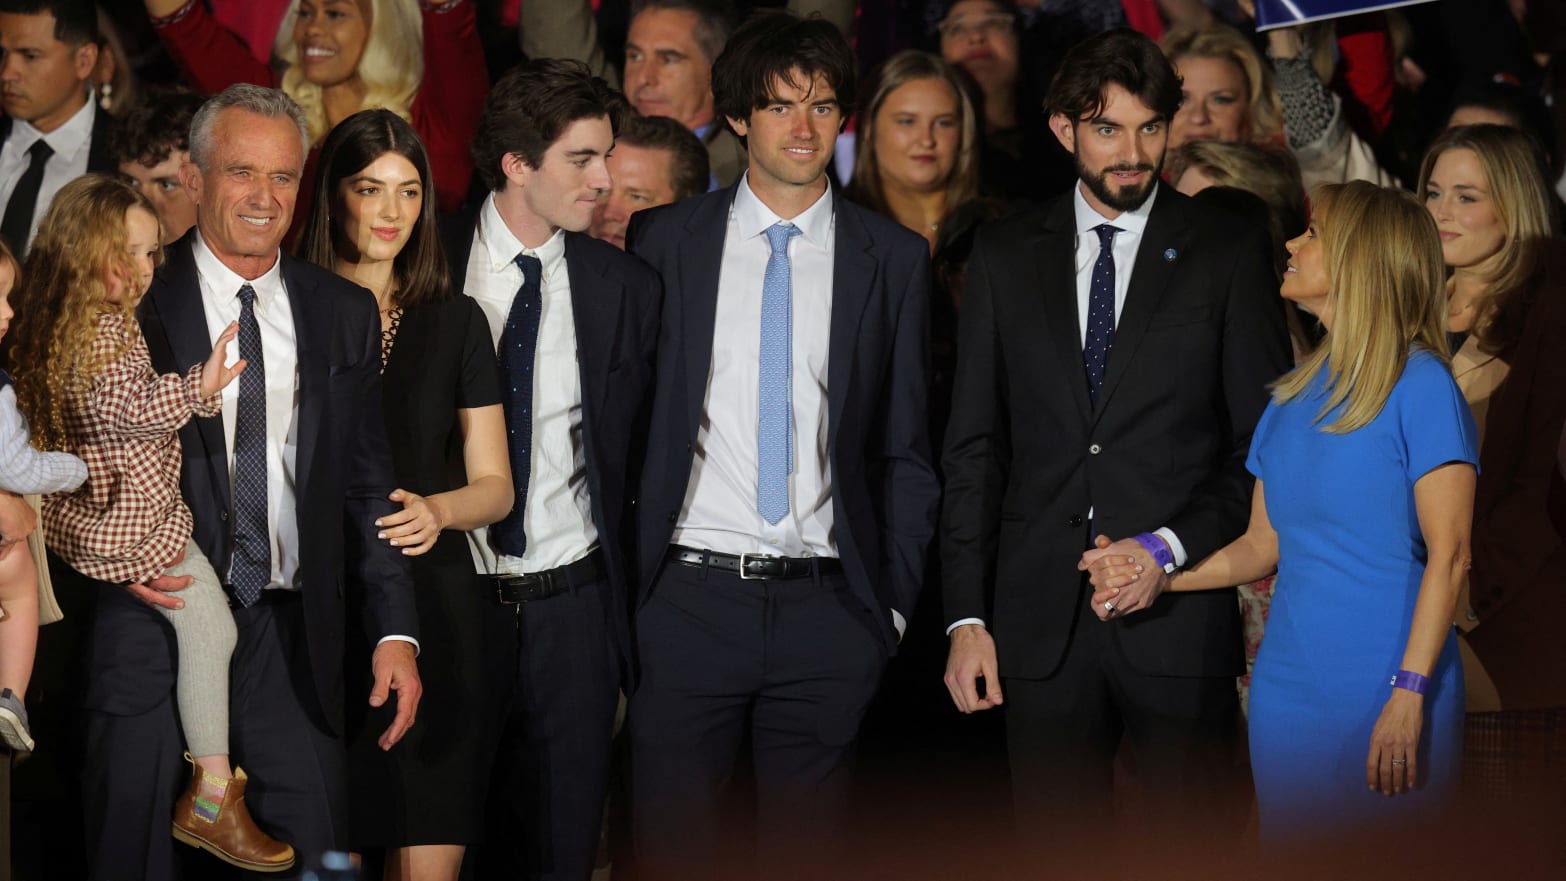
788,494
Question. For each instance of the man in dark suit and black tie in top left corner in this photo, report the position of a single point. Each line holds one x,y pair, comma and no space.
52,131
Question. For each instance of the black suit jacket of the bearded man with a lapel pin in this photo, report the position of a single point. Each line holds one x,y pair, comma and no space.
1028,455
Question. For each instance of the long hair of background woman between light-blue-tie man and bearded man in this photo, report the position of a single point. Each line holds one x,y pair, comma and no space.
898,71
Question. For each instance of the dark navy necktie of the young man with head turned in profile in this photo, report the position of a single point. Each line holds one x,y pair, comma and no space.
519,345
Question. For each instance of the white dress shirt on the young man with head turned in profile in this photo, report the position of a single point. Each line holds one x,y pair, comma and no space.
558,514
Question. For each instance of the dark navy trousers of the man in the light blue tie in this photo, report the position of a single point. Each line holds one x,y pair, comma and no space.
785,666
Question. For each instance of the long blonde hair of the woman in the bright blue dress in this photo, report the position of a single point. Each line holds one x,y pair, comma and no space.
1387,289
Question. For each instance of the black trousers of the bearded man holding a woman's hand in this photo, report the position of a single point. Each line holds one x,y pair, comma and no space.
1064,735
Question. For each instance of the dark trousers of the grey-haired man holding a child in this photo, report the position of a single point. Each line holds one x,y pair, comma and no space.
134,768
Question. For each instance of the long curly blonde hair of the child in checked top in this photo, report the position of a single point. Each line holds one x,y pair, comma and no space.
65,295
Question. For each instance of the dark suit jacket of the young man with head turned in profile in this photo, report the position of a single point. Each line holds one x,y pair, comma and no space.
615,309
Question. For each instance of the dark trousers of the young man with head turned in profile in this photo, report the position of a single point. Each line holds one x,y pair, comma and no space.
552,772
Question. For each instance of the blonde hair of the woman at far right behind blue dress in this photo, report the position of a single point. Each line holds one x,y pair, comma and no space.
1515,173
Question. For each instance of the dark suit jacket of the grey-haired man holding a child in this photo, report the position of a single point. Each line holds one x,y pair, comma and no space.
342,469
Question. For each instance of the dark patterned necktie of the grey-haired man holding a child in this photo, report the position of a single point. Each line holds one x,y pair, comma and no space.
253,553
